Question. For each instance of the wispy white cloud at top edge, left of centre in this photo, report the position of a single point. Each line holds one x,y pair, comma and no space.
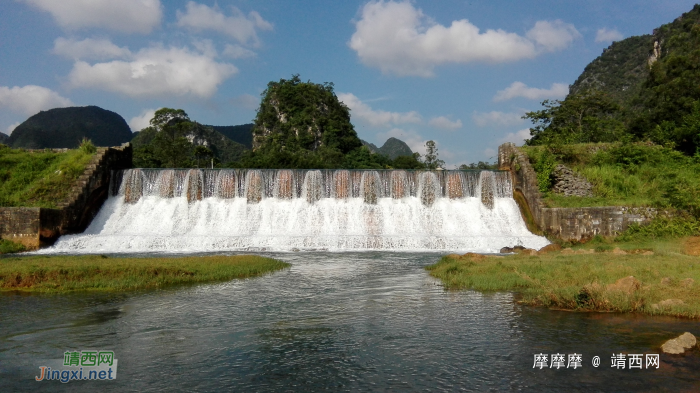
242,28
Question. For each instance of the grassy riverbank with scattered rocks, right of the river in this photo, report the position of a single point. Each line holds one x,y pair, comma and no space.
661,279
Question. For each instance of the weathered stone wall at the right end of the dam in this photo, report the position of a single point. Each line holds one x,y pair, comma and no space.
569,224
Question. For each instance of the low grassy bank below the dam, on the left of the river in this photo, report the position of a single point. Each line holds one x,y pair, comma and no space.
99,273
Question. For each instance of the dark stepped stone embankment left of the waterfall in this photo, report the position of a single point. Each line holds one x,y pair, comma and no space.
34,227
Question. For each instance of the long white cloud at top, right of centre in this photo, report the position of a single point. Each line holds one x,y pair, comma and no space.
399,39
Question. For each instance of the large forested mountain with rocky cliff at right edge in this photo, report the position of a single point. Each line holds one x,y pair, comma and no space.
644,88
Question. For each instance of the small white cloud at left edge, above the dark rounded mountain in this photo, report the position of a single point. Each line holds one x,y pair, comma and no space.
29,100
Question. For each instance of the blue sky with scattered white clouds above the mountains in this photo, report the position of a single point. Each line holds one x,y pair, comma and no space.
458,72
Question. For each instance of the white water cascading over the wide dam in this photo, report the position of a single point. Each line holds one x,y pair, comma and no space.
173,210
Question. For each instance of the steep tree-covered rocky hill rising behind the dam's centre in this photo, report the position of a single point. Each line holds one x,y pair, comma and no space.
304,125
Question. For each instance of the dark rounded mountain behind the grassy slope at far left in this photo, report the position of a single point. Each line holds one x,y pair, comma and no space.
66,127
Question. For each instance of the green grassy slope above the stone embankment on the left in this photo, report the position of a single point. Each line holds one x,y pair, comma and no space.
39,179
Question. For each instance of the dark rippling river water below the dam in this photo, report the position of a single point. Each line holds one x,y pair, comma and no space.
333,322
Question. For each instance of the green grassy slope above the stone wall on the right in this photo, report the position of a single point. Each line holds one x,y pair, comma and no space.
626,175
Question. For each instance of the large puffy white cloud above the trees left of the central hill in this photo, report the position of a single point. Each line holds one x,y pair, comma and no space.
155,72
